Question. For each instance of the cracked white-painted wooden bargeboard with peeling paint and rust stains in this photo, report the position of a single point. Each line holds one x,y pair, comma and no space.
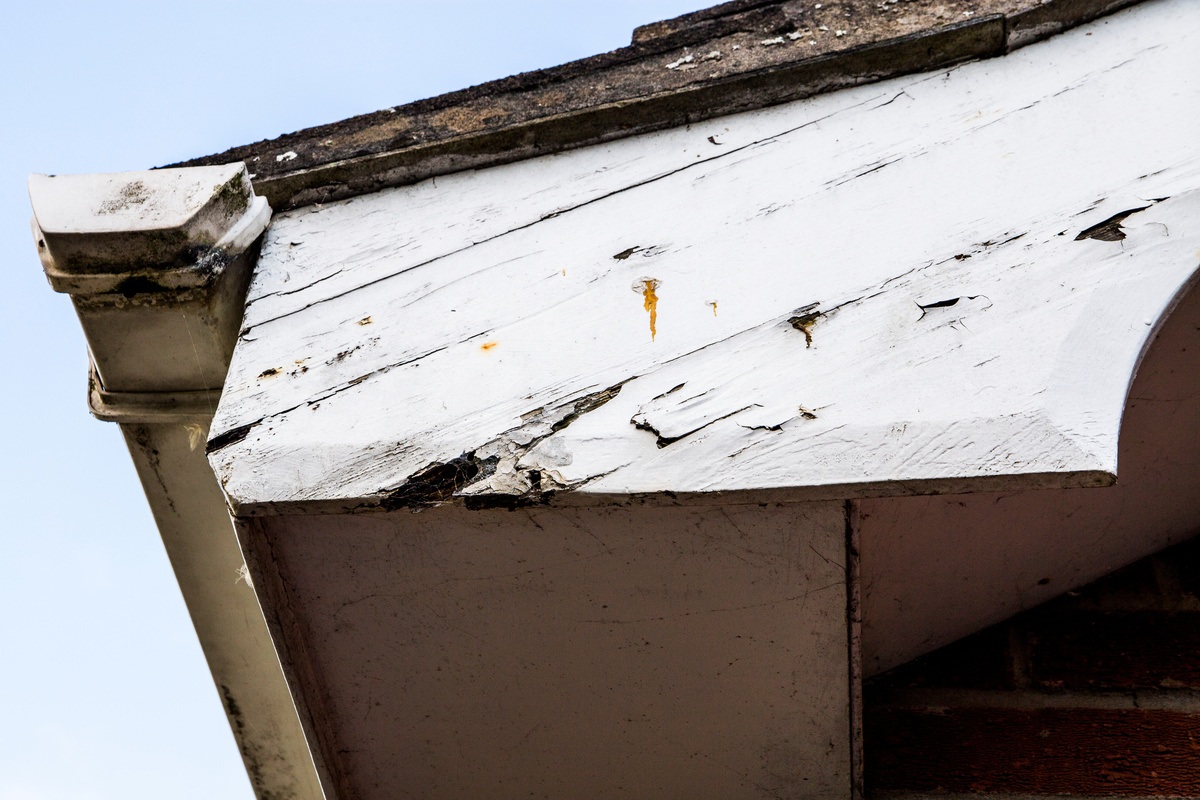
501,317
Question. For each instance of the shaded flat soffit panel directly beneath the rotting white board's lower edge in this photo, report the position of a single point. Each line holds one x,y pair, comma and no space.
572,653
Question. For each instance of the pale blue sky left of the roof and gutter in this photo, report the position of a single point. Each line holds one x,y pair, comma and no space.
106,694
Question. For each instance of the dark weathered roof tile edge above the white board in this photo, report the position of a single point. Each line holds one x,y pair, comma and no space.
731,58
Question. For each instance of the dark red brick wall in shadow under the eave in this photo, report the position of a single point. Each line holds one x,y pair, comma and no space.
1094,695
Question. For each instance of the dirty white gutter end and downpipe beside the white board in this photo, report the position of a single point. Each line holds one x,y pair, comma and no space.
158,266
